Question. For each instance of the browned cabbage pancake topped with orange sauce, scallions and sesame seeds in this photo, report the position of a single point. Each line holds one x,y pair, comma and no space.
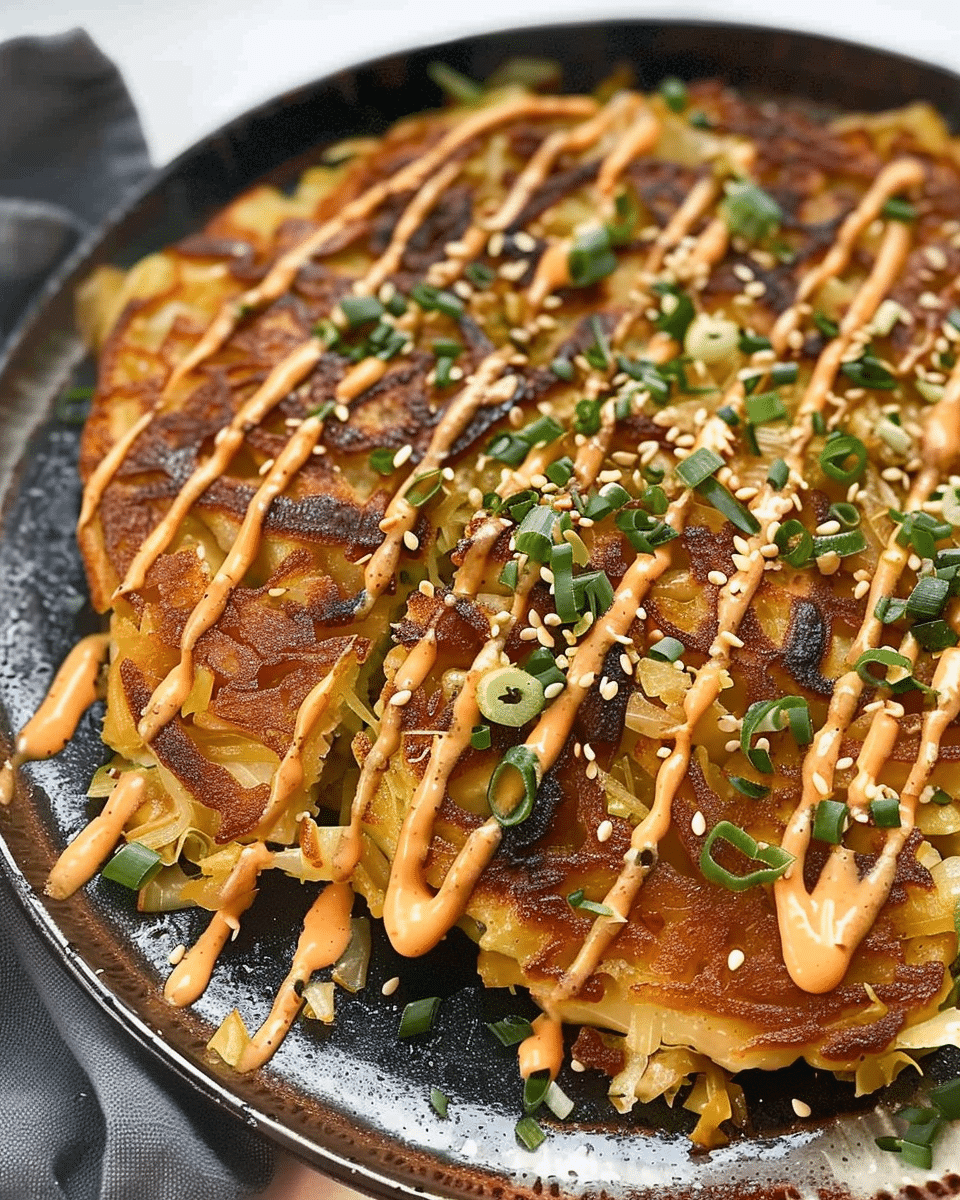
545,520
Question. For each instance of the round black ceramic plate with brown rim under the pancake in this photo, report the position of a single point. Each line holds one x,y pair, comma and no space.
355,1100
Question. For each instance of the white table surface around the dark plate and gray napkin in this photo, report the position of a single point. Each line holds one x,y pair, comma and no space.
194,64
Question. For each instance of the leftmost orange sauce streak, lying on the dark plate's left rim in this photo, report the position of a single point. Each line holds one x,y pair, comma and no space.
73,692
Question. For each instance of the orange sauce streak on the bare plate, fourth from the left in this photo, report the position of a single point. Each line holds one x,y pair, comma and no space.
326,937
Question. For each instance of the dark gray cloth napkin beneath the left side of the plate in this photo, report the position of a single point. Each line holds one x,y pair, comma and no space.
86,1114
